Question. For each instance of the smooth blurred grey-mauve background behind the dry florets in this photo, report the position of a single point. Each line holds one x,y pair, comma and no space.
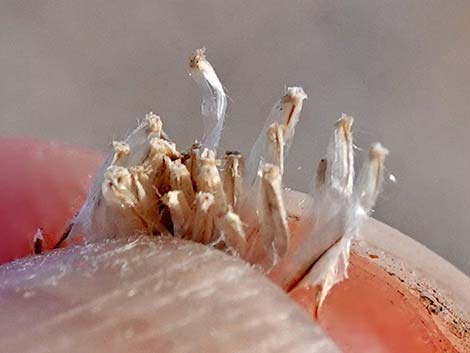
83,72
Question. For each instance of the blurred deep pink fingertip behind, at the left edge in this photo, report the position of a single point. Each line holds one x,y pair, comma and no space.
43,184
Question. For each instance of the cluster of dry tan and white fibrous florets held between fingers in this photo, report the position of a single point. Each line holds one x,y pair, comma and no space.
149,186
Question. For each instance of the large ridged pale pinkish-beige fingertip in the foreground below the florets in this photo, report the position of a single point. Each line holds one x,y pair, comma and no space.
158,295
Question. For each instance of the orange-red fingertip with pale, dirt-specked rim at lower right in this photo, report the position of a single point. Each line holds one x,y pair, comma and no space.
399,297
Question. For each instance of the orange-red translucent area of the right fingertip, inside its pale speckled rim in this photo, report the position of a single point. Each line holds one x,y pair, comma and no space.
376,310
